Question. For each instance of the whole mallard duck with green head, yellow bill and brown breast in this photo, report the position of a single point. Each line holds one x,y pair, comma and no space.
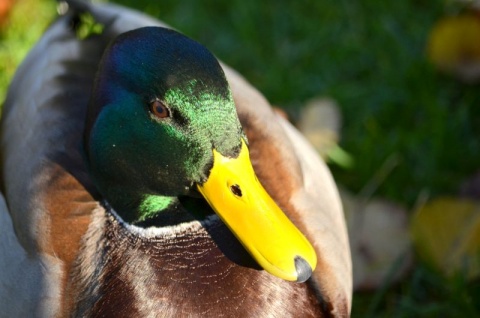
141,177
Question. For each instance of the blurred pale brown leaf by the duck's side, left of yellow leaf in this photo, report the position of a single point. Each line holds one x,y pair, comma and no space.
379,239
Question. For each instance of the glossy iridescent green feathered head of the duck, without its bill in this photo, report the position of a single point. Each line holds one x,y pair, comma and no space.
160,104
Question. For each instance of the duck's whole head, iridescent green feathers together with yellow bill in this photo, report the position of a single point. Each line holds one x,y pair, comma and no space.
162,124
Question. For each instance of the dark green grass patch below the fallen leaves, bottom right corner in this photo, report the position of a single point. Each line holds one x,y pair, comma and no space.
425,294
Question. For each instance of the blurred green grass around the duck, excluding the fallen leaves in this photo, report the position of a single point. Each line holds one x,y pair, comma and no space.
370,57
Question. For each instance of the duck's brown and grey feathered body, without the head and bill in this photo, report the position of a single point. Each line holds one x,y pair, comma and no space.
61,251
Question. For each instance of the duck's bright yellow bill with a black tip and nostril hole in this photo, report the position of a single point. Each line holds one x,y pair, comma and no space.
236,195
